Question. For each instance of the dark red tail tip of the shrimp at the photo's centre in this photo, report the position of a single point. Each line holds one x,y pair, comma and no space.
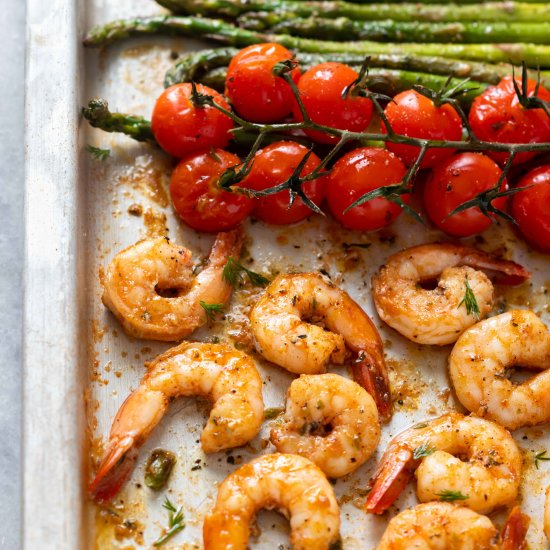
371,374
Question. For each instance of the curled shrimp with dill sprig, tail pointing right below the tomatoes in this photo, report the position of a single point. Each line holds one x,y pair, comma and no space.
438,316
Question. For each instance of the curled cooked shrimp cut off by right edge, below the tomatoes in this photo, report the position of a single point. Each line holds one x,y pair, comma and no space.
484,354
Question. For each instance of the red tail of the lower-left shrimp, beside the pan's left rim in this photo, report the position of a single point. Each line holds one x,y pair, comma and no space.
114,470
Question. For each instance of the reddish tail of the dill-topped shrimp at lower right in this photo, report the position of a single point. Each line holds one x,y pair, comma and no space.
392,476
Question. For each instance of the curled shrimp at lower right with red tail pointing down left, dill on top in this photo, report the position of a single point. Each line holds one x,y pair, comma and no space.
488,475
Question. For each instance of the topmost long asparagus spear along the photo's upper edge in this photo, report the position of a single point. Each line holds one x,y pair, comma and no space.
516,12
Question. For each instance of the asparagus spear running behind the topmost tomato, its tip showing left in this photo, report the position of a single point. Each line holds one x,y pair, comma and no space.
206,65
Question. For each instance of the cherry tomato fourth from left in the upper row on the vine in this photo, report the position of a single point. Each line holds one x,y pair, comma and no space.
414,115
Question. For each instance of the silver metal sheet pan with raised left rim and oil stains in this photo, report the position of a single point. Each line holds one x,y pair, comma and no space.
79,365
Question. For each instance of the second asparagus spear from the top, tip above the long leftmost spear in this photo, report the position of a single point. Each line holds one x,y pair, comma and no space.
344,28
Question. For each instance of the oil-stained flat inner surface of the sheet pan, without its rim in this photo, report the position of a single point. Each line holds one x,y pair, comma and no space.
130,77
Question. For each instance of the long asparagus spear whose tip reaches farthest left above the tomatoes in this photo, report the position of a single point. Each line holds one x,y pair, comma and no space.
229,34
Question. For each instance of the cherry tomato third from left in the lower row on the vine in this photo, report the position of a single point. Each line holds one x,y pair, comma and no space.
357,173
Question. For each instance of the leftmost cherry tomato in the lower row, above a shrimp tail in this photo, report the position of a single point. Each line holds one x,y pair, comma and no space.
199,201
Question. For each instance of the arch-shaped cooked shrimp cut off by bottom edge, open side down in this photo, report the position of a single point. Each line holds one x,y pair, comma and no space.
289,483
